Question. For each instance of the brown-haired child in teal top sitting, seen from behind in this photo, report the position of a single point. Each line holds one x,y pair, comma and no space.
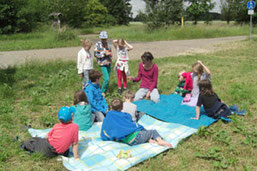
83,116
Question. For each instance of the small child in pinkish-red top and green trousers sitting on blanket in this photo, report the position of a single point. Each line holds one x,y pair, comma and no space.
185,84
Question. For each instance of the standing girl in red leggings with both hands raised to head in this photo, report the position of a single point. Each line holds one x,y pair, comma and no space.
121,65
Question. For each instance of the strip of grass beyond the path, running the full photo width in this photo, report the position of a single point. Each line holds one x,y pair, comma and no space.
45,37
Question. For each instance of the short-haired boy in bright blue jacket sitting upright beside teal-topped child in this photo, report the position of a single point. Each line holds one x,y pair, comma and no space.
95,97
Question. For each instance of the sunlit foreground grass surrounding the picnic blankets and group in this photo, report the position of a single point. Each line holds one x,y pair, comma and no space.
33,93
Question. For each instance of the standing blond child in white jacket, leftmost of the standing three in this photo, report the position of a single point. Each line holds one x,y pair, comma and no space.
85,61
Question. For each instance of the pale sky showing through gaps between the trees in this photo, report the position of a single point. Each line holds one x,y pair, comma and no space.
140,5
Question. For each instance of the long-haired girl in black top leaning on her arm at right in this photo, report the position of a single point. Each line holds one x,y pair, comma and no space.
213,106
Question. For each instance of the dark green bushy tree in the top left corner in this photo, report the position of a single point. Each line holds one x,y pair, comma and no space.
20,15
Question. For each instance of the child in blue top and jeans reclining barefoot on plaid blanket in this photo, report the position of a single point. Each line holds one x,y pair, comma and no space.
119,126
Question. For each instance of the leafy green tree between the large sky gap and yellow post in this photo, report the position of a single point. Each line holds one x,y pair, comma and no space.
163,12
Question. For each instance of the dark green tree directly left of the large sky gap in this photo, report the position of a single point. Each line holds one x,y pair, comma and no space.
120,10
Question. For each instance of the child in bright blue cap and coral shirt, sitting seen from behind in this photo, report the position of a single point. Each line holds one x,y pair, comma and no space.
59,139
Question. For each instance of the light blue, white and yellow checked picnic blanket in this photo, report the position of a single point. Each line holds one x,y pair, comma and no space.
96,154
